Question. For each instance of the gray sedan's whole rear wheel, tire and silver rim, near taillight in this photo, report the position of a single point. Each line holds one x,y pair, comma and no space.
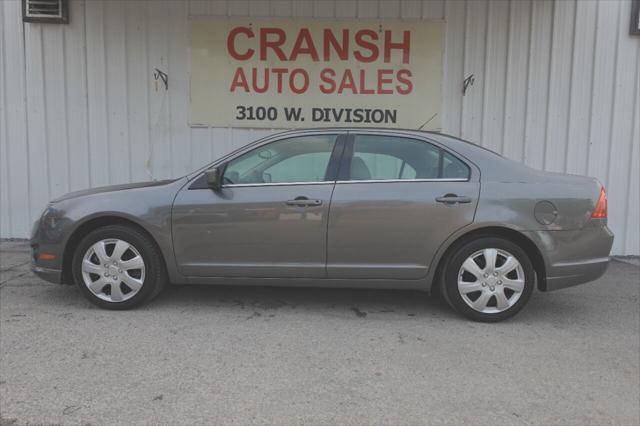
489,279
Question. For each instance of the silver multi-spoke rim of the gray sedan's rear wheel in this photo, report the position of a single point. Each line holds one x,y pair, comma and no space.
491,280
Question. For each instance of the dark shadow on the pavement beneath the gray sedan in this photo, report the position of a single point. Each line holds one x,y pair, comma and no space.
256,301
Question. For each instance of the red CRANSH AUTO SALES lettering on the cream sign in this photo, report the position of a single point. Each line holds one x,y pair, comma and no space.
266,45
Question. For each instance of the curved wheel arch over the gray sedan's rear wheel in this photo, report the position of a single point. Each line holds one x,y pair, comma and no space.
512,235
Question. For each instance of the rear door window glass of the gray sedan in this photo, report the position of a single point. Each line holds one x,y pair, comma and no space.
398,158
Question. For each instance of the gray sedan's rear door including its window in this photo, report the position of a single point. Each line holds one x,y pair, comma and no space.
396,200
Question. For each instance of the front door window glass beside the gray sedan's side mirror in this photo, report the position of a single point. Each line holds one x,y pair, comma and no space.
299,159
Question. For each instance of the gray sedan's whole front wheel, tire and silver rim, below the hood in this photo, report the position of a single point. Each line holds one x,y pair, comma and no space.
118,267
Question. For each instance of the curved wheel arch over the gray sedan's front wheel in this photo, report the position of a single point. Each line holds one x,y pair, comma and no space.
94,223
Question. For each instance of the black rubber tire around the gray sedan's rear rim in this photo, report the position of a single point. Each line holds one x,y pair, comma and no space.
463,252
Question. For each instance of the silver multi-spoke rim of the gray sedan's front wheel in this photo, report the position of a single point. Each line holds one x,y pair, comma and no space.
113,270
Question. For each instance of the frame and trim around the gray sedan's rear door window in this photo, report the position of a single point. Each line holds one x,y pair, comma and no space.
345,164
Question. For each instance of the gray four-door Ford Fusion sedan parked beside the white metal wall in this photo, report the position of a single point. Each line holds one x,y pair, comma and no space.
336,208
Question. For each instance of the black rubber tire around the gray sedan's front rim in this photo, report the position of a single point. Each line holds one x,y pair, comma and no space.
155,277
